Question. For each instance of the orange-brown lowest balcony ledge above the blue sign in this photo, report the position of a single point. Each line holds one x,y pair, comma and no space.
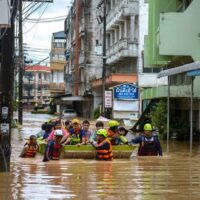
114,79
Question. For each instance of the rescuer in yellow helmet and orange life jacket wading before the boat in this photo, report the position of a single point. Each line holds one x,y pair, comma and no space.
103,146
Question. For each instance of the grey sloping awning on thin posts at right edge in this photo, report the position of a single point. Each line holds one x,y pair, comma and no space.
179,70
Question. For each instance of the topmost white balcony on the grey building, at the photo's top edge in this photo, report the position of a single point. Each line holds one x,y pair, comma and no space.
123,9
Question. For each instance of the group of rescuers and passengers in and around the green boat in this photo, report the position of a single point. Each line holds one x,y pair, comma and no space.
57,133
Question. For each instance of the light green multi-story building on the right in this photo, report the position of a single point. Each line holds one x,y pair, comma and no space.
173,41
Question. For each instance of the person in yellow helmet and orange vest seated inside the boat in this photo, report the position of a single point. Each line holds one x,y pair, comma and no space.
113,134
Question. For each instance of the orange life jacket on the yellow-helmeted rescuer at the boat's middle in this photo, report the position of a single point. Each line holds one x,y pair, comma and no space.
103,154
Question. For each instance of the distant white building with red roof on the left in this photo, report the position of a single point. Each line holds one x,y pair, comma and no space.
36,85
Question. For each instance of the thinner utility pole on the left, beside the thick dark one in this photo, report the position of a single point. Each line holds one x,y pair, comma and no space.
21,66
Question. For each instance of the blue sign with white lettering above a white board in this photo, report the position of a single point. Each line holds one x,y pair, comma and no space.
126,92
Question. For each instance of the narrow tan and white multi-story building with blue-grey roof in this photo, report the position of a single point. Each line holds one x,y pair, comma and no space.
57,63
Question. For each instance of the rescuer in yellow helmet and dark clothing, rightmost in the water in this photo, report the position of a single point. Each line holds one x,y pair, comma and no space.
149,143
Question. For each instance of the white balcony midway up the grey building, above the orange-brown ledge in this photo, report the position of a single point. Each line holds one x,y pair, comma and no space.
121,49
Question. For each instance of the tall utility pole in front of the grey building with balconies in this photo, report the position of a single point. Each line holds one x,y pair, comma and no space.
104,59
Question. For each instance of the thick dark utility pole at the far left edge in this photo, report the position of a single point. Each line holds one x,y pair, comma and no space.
6,88
